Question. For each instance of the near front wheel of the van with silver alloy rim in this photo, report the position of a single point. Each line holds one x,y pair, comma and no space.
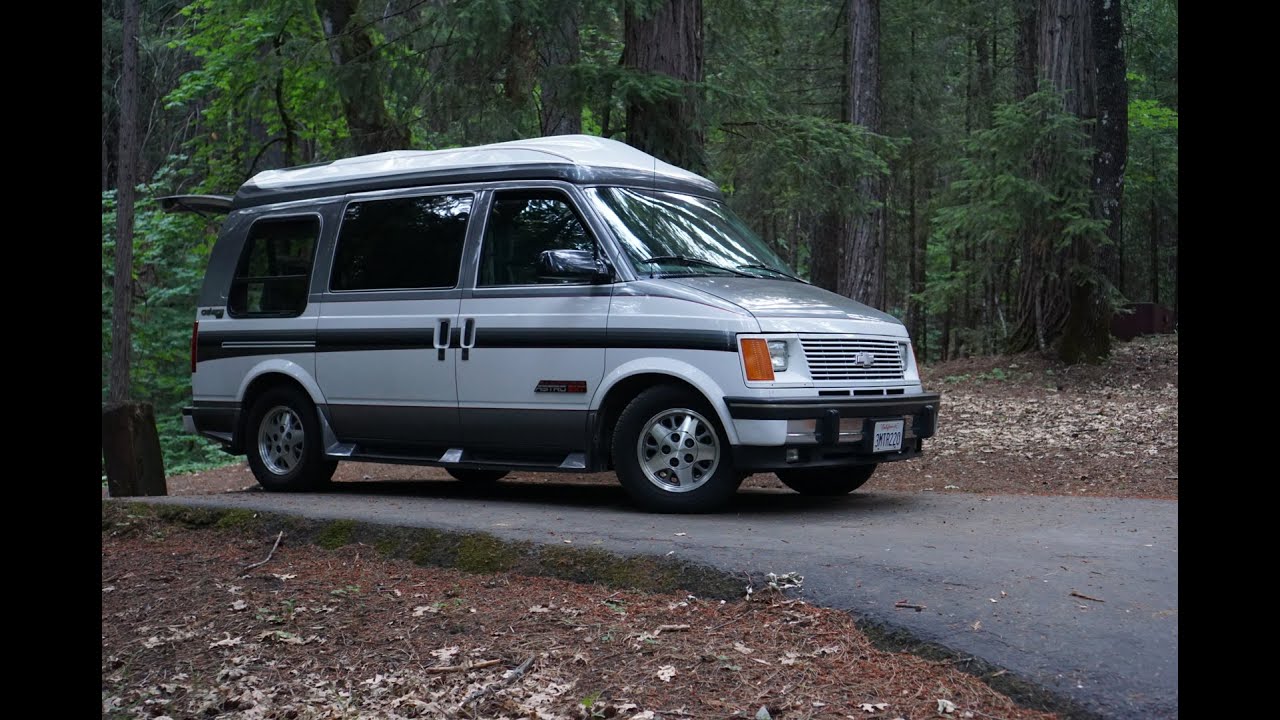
671,454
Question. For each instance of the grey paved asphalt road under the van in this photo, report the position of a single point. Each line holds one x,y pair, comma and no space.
1008,563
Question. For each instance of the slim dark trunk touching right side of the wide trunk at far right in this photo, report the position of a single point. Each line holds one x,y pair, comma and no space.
1112,136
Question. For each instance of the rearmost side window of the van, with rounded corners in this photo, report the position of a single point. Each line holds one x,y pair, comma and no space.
275,272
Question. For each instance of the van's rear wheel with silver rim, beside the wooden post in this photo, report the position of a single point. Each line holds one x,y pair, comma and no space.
285,449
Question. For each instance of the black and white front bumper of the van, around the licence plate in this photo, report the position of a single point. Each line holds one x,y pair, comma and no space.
826,432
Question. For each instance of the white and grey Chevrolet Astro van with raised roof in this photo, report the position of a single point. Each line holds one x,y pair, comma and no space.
561,304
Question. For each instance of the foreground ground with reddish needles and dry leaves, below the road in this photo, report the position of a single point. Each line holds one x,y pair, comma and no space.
190,632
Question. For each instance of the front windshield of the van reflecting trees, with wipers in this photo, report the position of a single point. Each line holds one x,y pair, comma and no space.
670,235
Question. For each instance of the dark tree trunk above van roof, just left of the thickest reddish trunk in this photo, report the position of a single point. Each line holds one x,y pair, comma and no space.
560,51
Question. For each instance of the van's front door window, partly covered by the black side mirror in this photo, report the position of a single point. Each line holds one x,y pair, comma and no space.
522,226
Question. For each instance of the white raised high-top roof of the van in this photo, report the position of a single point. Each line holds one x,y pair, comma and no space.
577,158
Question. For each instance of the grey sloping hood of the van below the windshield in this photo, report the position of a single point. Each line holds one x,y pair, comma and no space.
794,307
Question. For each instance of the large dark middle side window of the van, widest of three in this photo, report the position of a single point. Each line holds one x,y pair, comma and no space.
401,244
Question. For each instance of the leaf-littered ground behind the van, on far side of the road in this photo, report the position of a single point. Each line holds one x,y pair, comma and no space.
1009,425
